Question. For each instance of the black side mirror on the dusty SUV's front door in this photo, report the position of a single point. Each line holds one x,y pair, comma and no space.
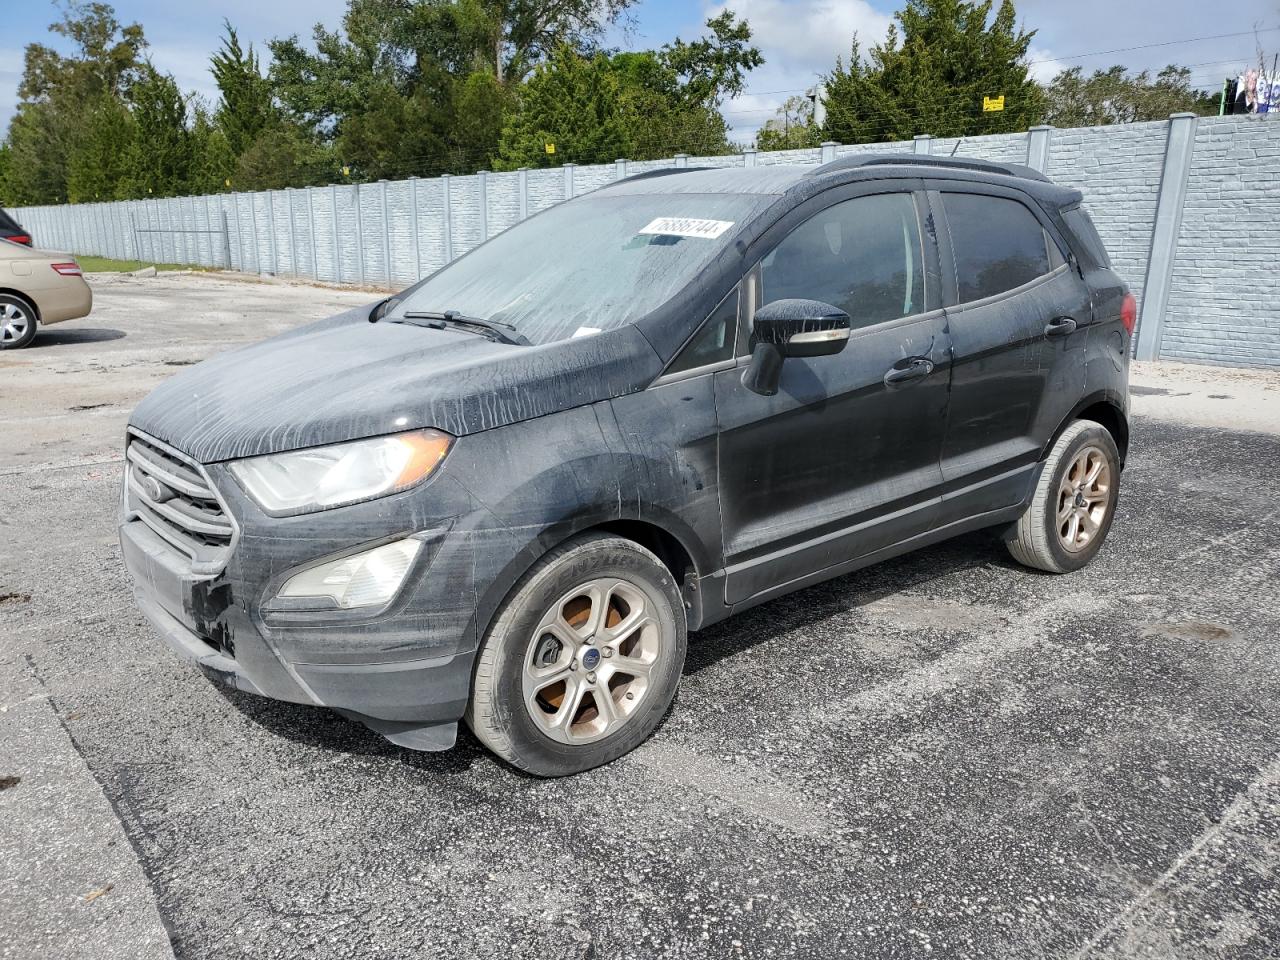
792,328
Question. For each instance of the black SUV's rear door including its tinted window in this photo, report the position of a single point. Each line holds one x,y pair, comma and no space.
1018,317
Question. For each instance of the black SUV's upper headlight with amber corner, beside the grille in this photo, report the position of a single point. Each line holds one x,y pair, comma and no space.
328,477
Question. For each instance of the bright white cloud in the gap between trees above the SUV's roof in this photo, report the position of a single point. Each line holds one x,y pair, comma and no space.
801,42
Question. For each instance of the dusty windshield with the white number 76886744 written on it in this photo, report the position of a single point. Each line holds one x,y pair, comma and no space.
588,266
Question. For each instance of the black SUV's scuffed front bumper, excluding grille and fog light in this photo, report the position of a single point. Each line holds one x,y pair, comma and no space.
404,671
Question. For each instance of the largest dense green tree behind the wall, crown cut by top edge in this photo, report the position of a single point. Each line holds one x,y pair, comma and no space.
422,86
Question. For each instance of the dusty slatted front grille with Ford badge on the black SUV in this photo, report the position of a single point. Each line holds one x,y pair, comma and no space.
173,496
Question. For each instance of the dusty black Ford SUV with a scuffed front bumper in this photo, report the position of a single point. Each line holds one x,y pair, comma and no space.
506,495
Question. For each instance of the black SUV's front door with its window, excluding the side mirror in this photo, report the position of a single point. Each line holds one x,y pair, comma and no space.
844,460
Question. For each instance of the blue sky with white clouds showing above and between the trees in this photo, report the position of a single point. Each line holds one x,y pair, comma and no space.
801,39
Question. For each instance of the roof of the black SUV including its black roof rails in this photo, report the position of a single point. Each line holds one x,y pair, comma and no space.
804,179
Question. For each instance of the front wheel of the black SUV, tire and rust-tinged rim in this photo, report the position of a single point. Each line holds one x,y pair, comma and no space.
547,651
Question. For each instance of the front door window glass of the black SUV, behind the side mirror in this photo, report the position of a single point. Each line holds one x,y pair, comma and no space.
863,257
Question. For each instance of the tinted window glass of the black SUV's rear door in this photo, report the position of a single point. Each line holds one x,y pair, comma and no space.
999,244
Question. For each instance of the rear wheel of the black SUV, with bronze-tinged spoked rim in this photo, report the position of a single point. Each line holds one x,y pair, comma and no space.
1046,537
